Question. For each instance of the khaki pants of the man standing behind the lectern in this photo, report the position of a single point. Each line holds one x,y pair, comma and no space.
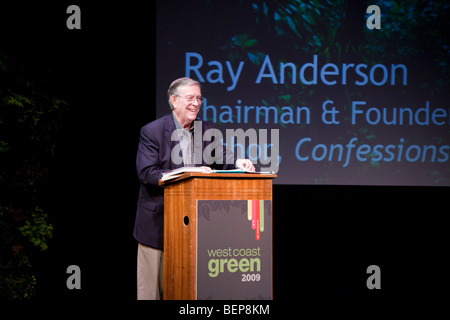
149,273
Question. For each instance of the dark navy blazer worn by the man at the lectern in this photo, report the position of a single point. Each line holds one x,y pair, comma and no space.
153,159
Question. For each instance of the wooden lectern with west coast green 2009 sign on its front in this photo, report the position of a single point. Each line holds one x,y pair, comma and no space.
218,236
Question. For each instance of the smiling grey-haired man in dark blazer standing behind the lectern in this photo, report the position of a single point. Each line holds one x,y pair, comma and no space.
153,159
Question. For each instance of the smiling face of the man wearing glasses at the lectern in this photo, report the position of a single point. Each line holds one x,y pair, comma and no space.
186,104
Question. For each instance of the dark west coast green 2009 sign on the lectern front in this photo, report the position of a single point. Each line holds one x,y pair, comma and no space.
234,249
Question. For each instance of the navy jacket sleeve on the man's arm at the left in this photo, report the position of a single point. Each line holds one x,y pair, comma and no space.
148,162
